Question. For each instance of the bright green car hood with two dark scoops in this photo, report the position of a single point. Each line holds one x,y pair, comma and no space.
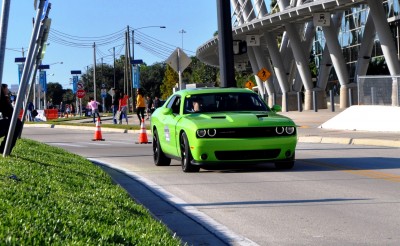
240,119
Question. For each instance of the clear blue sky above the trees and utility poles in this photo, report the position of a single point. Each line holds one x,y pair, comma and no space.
80,23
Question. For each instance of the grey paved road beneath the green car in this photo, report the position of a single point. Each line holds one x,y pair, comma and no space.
335,195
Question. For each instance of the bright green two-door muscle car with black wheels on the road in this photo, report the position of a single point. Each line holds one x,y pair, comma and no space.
209,126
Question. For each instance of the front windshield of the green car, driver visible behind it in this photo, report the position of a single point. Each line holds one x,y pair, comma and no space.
223,102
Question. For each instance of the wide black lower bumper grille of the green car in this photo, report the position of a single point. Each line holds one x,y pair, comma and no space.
247,154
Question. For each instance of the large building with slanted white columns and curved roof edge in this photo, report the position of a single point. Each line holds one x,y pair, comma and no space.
281,41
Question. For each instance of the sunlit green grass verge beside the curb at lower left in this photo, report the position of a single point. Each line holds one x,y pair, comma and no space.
51,197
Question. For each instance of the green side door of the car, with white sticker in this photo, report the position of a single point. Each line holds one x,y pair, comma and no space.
171,138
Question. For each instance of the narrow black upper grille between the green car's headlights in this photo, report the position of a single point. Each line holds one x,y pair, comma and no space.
249,132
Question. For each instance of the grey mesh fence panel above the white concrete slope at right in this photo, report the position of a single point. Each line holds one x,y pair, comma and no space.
378,90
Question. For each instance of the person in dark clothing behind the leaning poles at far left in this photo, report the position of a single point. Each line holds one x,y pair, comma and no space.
6,110
